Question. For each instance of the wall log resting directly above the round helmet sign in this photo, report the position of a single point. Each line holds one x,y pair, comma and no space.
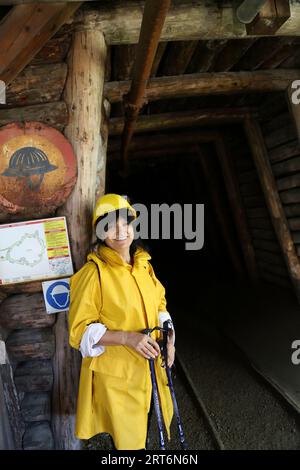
53,114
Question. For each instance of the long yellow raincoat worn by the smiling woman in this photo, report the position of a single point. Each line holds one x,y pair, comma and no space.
115,388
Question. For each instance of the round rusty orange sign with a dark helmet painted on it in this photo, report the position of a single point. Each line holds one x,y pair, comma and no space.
38,168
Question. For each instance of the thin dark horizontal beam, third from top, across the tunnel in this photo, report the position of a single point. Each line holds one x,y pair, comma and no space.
185,119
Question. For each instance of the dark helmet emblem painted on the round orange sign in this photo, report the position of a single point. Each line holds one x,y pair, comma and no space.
27,162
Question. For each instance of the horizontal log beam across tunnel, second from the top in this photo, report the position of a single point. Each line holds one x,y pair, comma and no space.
198,84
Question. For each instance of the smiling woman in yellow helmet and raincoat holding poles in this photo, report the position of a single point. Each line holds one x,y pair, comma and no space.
113,298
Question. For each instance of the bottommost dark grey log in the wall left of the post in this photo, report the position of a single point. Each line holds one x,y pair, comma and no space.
38,436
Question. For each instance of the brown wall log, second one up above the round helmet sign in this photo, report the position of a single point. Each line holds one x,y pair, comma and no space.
37,84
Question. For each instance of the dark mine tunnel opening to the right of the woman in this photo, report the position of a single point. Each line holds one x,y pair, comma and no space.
227,320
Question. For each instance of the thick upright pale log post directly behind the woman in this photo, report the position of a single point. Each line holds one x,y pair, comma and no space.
83,95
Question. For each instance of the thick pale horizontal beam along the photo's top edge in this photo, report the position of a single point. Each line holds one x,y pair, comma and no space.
120,21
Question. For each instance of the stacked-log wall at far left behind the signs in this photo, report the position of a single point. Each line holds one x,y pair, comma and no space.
36,95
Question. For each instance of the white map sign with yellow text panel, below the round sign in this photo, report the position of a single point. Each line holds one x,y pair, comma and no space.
33,250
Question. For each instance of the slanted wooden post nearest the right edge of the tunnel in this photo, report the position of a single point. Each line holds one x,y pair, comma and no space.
278,217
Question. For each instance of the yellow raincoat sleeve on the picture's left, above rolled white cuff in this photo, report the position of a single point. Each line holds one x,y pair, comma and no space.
85,302
